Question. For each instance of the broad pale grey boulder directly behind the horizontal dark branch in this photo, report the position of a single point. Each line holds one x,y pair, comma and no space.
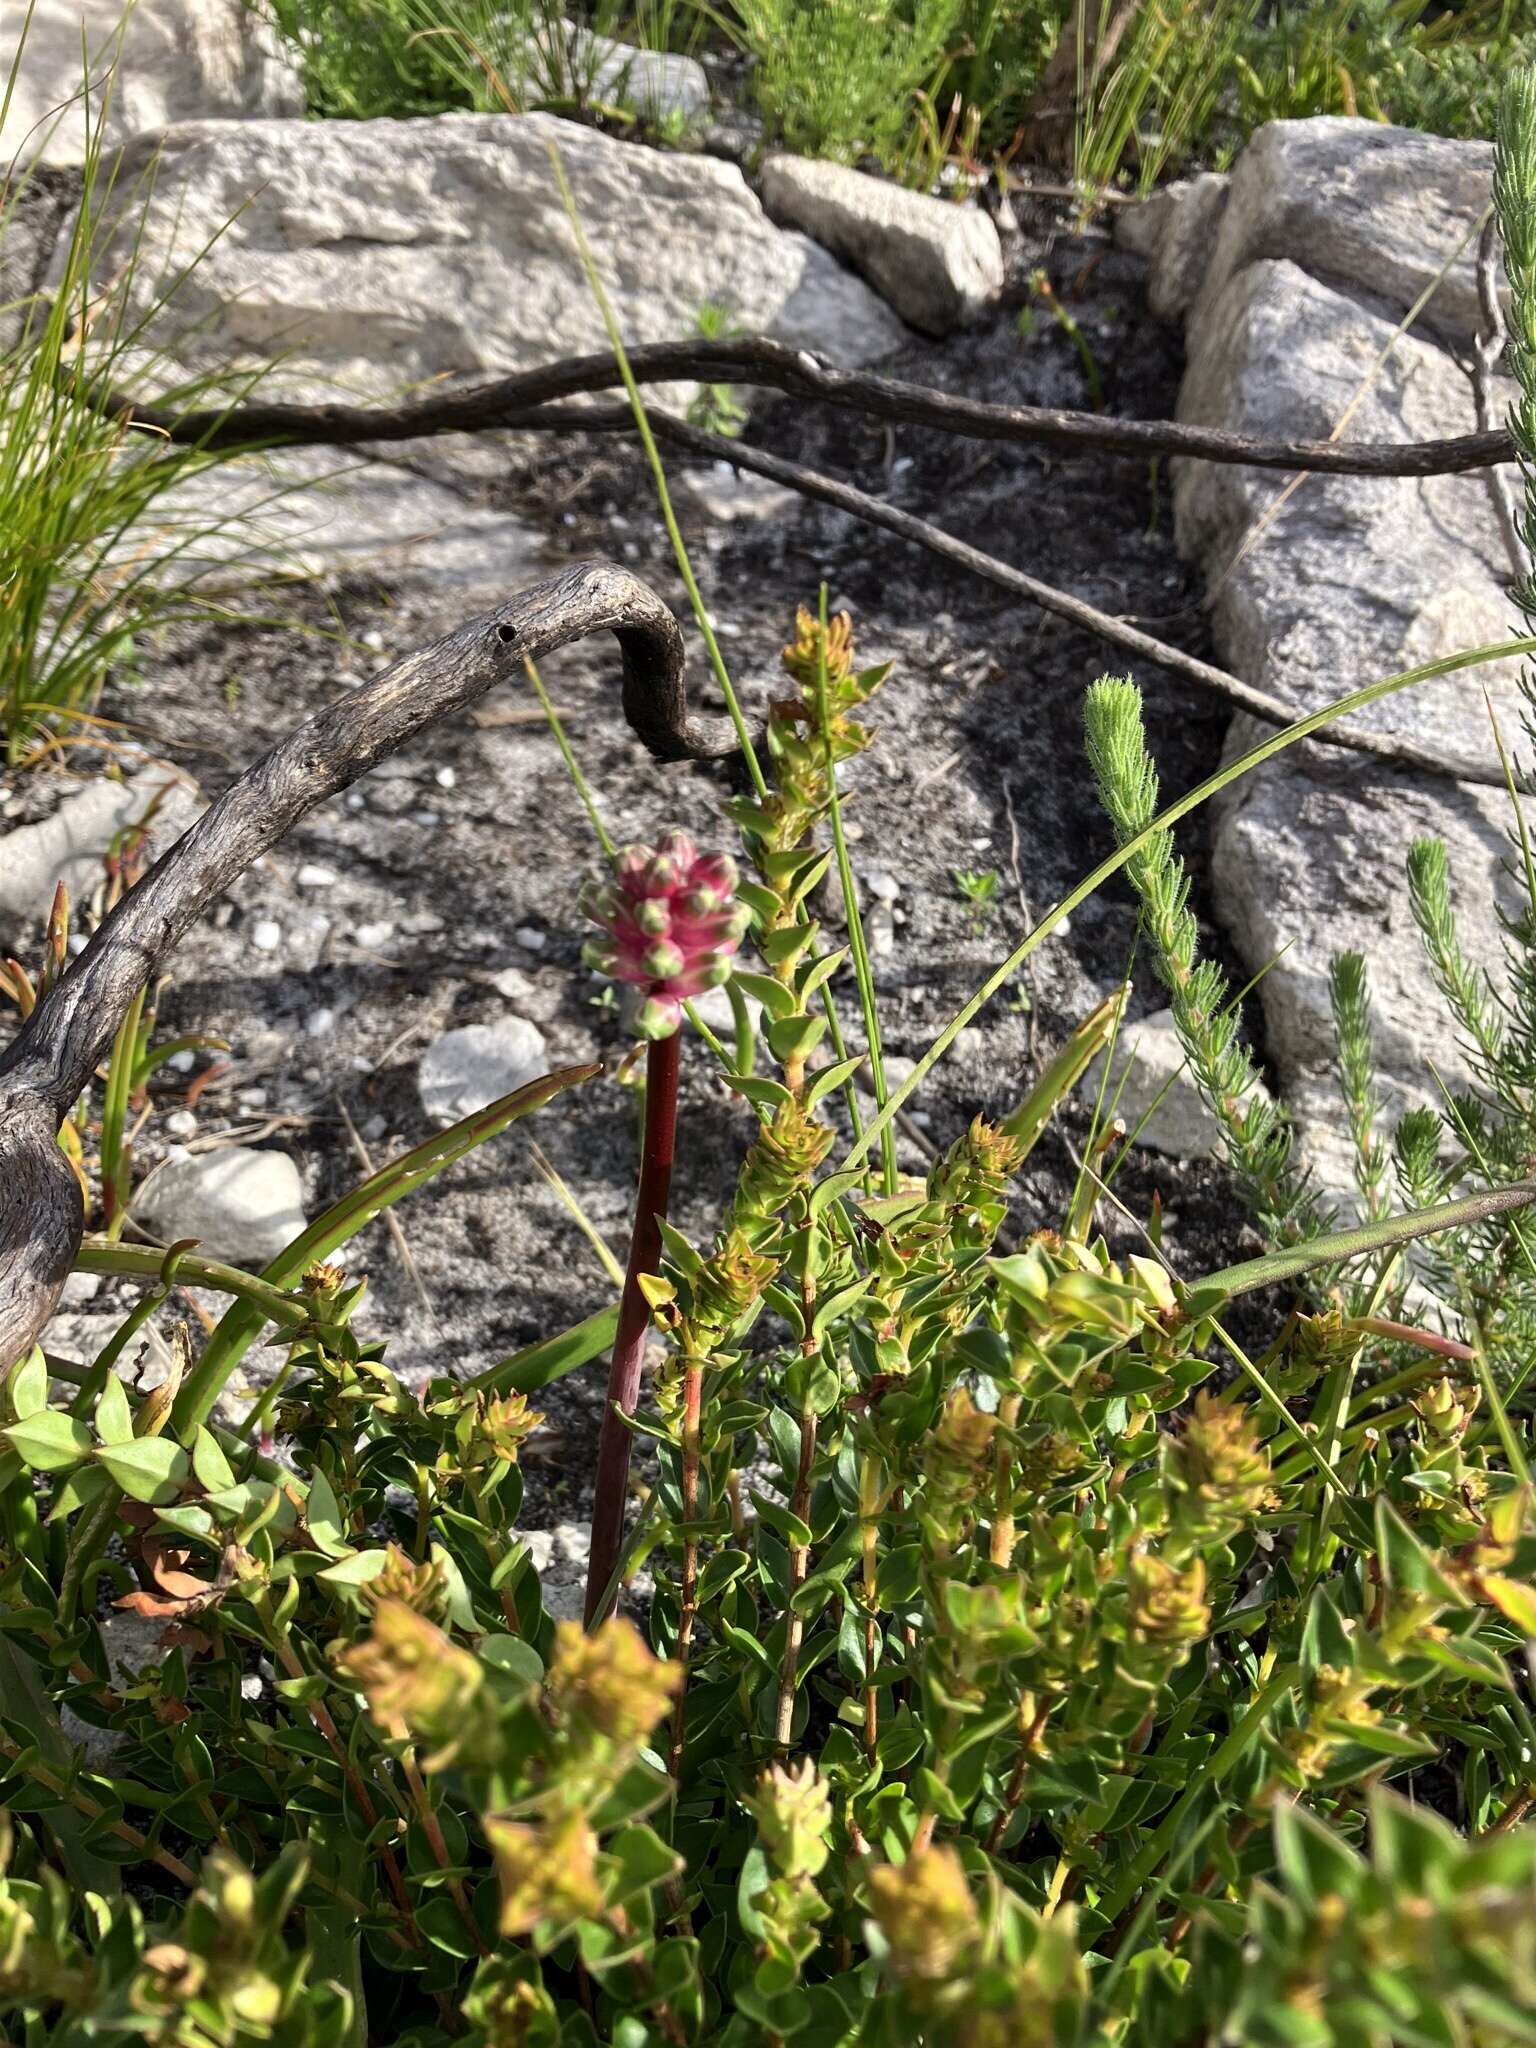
380,255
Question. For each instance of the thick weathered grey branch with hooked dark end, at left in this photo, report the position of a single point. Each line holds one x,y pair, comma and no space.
54,1056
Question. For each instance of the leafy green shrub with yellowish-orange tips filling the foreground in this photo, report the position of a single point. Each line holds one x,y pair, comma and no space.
1005,1674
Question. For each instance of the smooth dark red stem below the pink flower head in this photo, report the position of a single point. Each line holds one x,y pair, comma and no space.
634,1320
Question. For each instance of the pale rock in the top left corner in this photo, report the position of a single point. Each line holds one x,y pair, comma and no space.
177,60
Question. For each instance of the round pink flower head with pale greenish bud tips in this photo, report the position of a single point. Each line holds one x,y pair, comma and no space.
671,927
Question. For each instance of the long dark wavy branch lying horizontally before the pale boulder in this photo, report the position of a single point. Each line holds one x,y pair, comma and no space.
798,374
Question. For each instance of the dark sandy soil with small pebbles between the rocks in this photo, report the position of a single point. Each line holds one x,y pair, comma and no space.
984,710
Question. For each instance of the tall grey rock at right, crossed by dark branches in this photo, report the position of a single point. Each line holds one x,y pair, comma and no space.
1330,230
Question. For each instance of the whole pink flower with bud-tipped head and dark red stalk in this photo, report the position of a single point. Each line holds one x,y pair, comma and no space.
671,929
